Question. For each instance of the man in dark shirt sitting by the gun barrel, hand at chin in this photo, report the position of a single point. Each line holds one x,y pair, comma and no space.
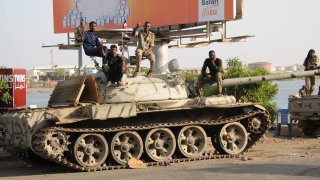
216,73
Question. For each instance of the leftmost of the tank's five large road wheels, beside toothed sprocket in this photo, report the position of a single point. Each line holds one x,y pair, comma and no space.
90,150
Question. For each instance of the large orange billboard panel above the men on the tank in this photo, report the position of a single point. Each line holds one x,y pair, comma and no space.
112,14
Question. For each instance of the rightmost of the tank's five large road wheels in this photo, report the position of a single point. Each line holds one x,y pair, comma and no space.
233,138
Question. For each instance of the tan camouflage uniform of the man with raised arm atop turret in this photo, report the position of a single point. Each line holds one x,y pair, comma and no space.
145,41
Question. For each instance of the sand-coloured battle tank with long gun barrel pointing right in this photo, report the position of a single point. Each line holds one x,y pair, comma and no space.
90,126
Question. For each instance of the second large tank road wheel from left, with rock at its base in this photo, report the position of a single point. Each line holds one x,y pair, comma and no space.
125,145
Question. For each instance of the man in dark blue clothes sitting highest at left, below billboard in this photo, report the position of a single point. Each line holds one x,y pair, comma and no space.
91,44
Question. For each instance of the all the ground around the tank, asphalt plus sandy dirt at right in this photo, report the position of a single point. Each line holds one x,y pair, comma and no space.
275,158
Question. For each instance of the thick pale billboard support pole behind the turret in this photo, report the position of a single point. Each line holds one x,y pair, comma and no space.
161,53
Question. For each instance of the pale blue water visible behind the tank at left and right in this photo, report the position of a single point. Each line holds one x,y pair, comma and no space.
285,89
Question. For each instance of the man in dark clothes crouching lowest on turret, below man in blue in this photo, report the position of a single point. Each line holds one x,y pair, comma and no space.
114,66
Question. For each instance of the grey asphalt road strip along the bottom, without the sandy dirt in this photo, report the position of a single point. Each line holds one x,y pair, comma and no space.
274,168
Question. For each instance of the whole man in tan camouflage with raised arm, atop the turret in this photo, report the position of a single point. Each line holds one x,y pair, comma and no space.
145,46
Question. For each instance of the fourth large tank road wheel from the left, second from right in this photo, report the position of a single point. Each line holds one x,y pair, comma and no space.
192,141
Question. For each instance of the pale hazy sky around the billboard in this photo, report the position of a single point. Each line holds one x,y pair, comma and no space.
284,32
